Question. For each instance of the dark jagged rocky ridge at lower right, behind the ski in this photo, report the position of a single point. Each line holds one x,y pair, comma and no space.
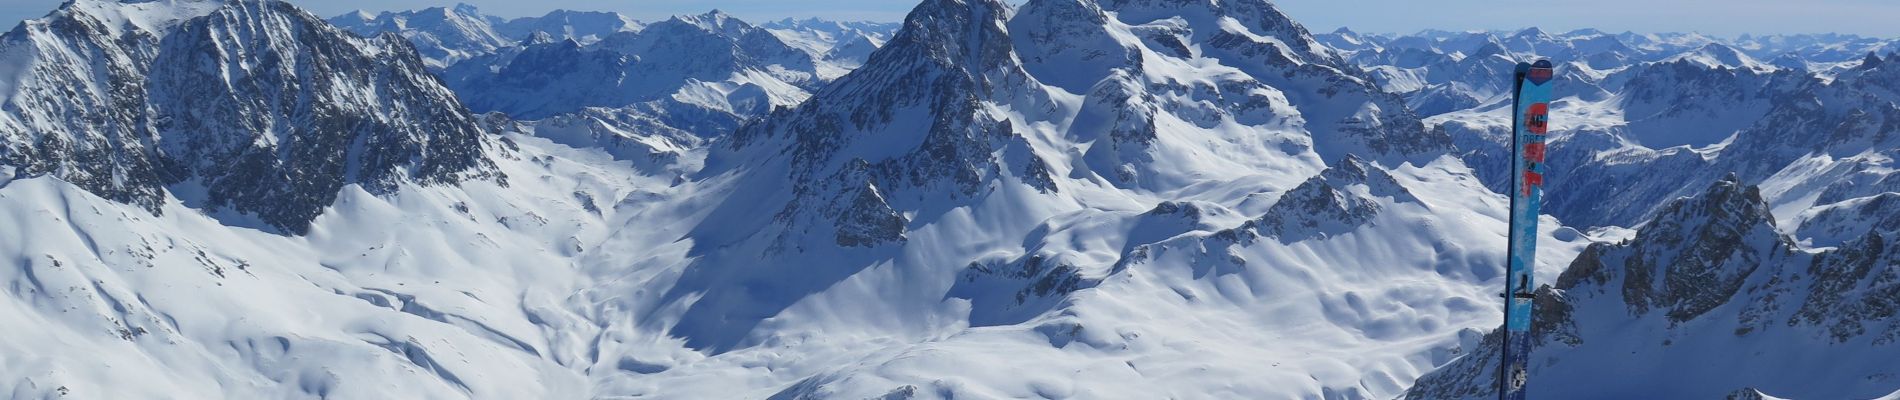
1709,276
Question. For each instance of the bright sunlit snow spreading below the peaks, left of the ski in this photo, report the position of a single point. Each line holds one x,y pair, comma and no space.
533,295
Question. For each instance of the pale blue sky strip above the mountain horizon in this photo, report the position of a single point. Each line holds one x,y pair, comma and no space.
1724,18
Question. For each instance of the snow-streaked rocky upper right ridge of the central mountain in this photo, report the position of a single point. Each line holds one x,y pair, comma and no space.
1342,113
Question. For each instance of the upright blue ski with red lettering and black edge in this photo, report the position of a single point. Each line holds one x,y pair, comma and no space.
1532,115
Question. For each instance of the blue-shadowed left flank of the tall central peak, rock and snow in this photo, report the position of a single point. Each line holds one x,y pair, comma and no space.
854,172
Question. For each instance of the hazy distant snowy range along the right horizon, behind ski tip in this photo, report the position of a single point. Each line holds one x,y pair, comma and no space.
1435,71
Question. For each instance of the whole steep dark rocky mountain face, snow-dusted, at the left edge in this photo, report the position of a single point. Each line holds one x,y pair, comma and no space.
254,107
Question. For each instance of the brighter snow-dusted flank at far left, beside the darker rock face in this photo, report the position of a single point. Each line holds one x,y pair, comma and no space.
69,88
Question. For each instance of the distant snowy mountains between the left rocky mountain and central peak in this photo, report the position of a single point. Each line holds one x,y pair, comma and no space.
651,94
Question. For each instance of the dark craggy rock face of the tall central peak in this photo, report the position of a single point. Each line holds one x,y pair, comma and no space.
947,64
